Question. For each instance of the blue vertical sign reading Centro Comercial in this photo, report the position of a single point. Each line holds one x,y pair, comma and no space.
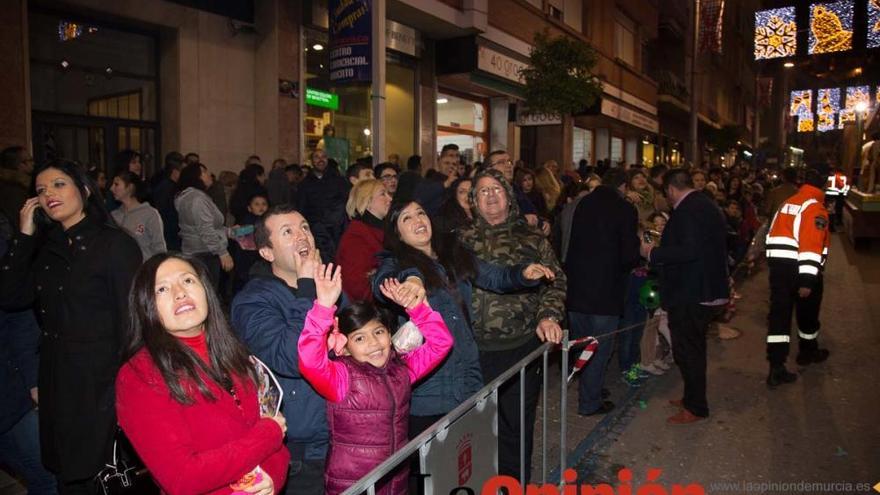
350,43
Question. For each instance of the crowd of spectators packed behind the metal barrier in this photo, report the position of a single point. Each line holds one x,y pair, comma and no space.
136,301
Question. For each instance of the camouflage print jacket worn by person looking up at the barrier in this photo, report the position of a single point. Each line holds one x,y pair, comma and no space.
507,321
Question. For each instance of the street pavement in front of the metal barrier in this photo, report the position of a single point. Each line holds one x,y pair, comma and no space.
821,429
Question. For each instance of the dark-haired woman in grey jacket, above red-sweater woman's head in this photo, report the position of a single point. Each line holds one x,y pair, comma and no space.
202,224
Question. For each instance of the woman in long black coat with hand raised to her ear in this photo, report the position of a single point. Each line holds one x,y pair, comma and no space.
75,267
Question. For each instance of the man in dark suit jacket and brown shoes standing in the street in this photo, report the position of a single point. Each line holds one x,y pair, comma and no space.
692,257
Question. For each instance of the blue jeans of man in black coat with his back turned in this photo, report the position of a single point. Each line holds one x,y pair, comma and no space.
593,375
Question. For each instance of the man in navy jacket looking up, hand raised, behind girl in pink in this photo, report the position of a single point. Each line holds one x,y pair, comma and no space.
269,314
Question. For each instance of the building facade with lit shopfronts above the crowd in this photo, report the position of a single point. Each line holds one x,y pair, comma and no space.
227,80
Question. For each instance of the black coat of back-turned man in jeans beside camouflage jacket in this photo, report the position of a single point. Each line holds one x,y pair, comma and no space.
604,247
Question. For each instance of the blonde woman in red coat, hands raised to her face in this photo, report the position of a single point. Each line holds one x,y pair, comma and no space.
368,203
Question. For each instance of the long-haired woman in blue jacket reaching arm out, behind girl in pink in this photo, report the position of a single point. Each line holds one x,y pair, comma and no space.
441,268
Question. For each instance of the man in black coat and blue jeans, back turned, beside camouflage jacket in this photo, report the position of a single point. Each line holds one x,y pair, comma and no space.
604,247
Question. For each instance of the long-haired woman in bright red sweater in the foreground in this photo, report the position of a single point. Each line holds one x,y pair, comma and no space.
186,398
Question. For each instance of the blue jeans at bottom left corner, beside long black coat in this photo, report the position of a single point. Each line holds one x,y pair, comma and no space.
20,450
